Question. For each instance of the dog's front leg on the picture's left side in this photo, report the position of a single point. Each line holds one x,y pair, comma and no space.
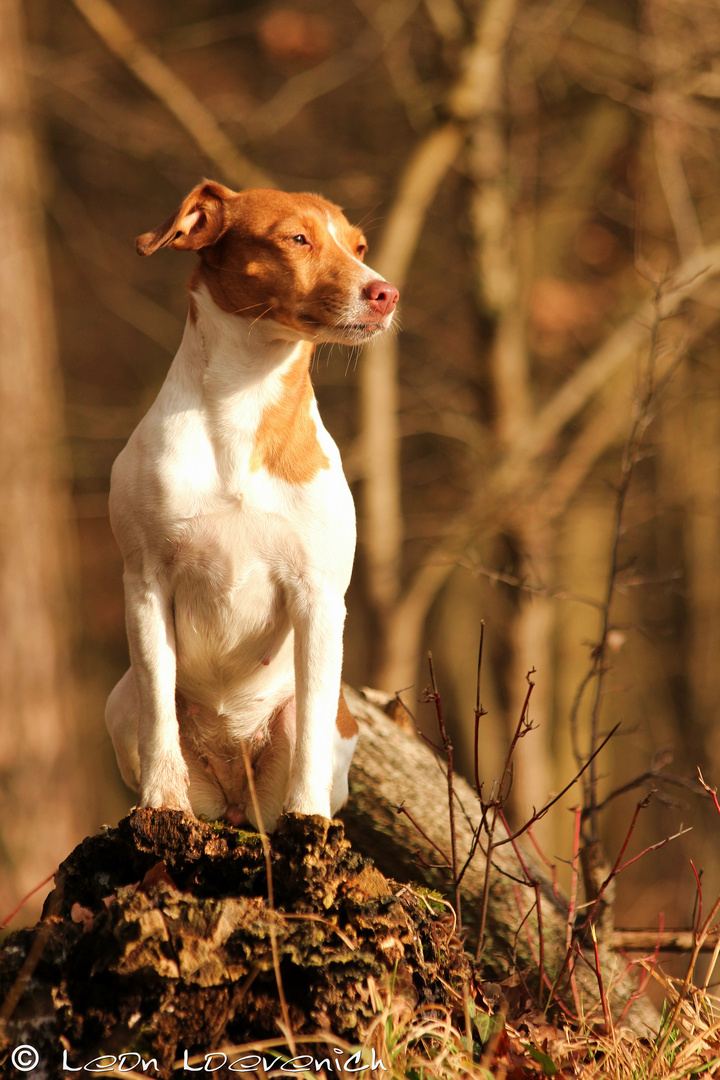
152,639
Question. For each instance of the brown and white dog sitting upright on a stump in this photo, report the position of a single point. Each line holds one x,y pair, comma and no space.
236,522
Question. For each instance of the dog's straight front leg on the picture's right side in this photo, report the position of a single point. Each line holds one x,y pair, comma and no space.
318,622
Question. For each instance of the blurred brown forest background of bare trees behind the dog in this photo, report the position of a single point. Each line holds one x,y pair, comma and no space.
542,183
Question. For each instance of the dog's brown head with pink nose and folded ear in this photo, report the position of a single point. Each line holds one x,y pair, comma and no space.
293,259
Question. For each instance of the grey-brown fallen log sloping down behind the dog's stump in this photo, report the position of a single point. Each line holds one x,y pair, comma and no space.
393,767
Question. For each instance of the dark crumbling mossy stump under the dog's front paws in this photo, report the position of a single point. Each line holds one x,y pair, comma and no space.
160,940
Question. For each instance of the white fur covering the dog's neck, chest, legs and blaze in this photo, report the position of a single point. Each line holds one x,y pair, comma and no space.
226,569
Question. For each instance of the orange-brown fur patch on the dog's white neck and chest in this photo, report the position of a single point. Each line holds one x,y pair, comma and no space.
287,441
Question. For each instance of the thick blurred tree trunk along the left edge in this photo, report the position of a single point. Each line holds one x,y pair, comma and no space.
36,753
